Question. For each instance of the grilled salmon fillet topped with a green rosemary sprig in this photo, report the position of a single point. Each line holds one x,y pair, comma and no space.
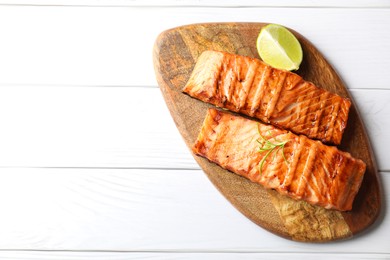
293,165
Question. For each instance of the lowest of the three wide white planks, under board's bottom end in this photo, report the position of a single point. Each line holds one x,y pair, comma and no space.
143,210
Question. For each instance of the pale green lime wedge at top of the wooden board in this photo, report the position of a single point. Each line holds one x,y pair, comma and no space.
279,48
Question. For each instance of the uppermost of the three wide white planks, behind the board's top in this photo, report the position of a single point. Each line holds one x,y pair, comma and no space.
56,45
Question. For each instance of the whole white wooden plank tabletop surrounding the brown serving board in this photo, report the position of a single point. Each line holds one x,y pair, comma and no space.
91,163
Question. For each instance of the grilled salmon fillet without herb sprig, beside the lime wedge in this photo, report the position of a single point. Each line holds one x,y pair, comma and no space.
282,98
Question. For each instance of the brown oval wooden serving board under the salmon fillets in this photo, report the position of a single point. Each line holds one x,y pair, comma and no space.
175,54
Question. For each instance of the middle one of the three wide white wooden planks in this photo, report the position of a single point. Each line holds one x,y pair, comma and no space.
52,126
